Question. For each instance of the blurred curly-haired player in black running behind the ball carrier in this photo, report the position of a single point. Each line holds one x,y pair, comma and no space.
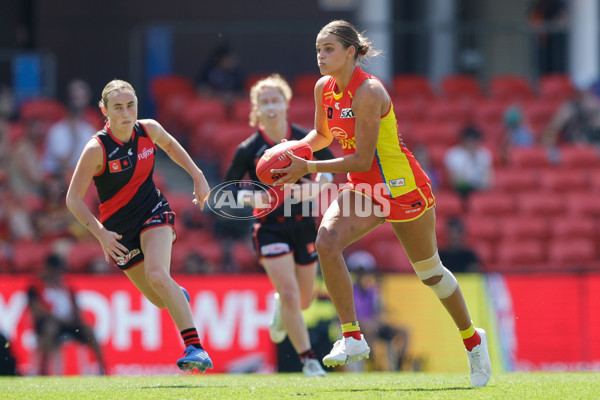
284,239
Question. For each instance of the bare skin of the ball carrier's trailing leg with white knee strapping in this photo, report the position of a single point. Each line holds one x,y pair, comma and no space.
419,242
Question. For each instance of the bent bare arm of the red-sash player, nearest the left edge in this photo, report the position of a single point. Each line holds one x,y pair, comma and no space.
90,163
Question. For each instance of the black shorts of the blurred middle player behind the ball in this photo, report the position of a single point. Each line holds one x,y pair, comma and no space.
273,239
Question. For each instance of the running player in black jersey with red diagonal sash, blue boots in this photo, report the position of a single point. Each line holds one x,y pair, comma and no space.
136,226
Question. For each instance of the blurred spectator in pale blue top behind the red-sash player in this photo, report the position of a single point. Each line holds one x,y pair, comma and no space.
67,138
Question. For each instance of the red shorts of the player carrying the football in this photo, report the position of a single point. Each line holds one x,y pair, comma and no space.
407,207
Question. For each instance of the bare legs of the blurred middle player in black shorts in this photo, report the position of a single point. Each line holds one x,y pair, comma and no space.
293,295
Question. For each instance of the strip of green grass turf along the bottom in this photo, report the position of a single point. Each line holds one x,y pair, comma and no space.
296,386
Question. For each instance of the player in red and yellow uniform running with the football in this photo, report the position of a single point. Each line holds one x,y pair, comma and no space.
384,177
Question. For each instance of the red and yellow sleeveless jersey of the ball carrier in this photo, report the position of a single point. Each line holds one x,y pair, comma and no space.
393,164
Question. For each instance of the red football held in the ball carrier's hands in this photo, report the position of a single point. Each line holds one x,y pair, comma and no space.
276,158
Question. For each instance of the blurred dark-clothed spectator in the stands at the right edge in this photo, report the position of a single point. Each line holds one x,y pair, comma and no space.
577,120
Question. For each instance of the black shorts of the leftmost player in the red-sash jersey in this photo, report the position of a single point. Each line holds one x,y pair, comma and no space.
159,216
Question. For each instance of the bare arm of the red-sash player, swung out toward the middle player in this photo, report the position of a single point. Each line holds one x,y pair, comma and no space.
177,153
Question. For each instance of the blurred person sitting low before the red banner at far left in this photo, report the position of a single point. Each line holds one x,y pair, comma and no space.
56,315
